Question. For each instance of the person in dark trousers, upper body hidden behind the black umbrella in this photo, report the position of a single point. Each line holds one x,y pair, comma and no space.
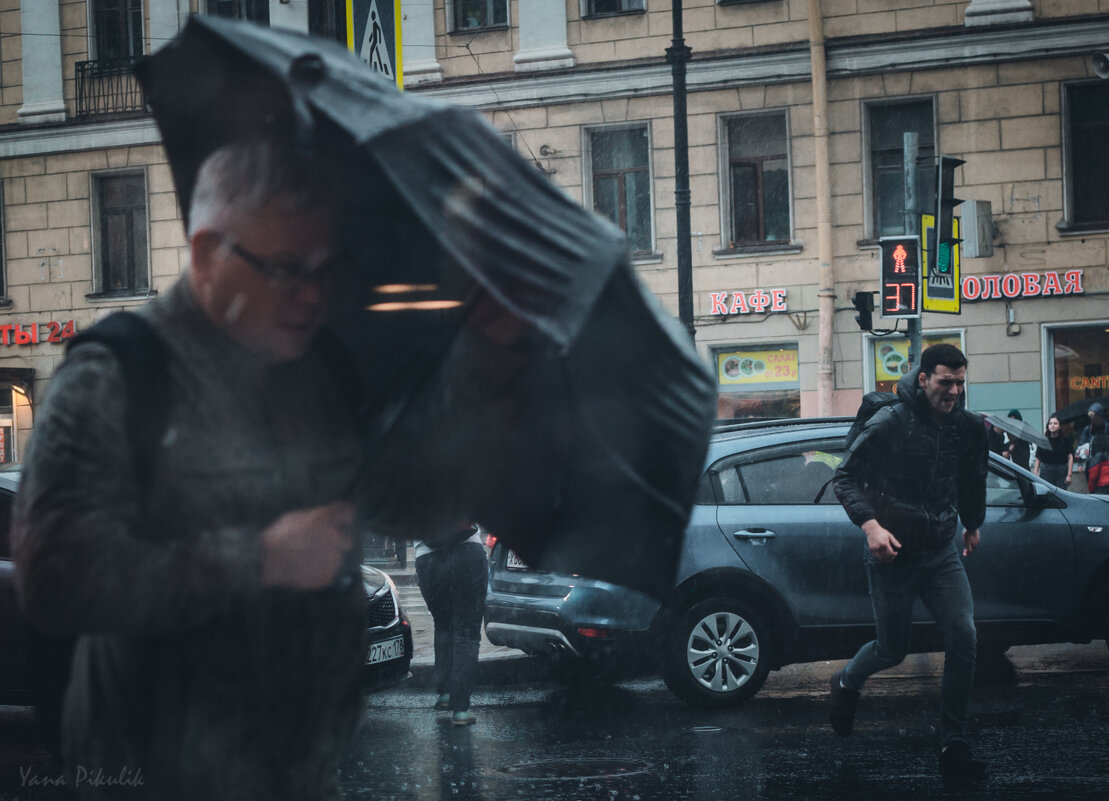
453,580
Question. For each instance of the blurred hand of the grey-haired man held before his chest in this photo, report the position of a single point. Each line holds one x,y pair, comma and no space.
306,550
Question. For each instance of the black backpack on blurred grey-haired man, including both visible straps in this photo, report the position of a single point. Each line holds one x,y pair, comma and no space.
144,359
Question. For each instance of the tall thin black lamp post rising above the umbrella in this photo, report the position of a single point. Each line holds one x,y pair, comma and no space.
678,55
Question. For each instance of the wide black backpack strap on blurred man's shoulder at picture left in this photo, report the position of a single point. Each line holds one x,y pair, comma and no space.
144,360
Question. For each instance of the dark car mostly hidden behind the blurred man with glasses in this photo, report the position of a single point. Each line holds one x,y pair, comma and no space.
389,656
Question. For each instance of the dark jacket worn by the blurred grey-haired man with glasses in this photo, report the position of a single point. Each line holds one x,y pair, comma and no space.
188,668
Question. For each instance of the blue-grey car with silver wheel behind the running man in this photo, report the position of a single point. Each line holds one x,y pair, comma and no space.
772,574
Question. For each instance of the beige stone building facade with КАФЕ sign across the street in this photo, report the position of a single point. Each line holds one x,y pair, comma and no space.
797,115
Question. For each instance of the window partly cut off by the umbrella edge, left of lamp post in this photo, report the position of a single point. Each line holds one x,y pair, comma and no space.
620,179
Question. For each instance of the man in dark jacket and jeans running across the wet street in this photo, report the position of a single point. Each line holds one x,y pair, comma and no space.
918,468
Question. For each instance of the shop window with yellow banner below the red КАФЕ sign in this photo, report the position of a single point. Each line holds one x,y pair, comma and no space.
758,383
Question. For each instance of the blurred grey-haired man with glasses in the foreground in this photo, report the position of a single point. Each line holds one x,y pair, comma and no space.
219,621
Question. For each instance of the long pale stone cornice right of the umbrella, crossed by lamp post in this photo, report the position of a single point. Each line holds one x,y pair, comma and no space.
858,57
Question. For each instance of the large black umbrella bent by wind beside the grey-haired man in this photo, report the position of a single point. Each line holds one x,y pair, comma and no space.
553,400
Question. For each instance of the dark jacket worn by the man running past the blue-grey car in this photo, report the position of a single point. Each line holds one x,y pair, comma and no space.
915,475
